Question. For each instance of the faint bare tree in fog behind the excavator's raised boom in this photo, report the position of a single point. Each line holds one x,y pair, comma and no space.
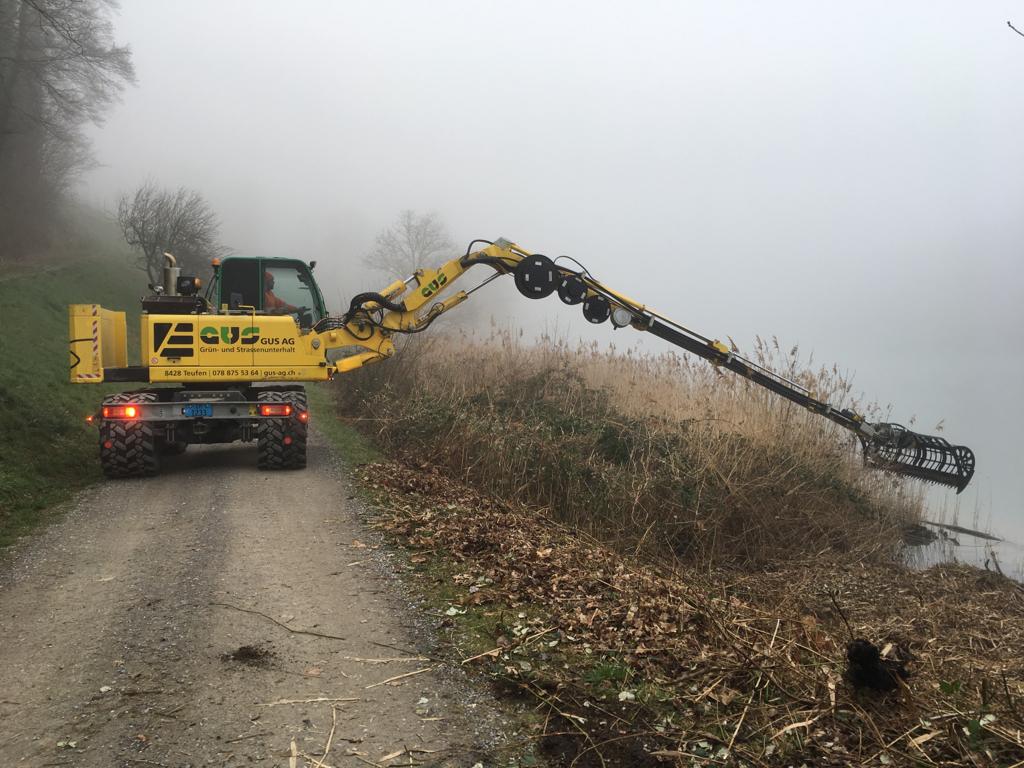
414,241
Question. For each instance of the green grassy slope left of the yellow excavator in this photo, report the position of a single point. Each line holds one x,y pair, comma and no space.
47,450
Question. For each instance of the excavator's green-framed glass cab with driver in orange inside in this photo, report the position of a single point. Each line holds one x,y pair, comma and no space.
269,286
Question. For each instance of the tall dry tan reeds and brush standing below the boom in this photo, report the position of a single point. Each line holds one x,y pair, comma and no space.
659,454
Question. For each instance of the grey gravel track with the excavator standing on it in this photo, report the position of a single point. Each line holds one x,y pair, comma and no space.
116,634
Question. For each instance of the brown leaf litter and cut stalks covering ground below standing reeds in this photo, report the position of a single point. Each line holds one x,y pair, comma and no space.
637,664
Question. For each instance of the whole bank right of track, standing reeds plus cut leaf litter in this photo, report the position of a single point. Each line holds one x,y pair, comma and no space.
584,573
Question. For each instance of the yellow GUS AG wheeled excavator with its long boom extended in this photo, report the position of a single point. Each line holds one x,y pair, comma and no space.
231,362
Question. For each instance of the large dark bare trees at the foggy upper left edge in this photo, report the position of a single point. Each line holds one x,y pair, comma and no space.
60,69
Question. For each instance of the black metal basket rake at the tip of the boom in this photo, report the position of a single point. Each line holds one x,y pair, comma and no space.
894,448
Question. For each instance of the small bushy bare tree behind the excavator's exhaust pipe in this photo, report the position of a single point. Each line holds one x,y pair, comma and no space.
181,222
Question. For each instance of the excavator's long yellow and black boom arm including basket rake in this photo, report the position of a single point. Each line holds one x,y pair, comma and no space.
409,307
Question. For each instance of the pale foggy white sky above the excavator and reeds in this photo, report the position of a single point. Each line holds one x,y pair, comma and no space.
847,178
